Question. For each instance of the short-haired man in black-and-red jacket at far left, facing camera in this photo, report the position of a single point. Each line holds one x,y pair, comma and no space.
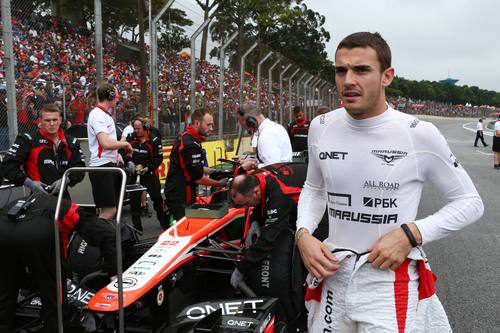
41,157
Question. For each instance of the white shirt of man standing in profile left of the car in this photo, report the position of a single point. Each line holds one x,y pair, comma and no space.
100,121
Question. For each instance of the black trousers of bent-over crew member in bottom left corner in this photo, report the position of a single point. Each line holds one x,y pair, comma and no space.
27,243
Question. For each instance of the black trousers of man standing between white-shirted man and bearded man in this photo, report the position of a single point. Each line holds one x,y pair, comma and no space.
152,183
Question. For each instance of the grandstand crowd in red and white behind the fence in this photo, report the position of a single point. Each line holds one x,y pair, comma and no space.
53,52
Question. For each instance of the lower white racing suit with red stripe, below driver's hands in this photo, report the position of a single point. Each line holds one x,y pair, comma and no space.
360,298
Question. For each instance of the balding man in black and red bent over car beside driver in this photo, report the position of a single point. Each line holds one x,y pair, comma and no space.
270,266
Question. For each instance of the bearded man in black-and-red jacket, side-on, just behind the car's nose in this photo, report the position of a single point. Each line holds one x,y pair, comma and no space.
186,170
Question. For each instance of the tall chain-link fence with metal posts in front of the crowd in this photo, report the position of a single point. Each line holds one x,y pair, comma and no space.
55,60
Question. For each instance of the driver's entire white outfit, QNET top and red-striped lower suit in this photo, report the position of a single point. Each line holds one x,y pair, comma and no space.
369,174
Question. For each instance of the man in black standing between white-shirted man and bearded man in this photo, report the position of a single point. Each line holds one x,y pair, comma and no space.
146,157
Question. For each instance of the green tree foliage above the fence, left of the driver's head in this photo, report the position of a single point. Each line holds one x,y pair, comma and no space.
286,26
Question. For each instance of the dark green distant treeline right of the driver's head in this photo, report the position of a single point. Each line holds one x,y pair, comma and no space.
441,92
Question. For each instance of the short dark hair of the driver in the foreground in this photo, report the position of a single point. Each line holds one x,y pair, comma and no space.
372,40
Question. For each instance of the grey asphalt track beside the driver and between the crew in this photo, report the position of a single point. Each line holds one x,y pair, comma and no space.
466,263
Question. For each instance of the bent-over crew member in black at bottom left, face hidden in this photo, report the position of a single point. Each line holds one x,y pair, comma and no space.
27,240
